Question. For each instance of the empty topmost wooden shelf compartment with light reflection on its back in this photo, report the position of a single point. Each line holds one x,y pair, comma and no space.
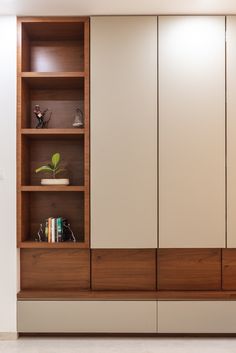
53,46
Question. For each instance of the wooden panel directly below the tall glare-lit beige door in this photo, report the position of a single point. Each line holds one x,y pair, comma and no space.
189,269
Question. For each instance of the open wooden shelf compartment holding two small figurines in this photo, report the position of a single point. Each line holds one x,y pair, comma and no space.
60,95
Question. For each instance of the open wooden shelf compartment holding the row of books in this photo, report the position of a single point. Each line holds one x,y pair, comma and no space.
39,206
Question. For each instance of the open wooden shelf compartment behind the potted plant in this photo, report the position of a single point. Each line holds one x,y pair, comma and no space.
37,151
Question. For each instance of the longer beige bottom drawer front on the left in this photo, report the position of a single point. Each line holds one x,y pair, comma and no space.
87,316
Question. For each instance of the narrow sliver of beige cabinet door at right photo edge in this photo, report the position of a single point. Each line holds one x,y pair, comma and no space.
231,130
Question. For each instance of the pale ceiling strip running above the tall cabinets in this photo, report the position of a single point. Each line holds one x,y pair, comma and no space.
121,7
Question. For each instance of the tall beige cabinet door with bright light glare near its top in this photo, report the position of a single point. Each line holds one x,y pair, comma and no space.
192,131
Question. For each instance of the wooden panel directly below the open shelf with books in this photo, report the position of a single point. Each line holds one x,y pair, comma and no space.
55,269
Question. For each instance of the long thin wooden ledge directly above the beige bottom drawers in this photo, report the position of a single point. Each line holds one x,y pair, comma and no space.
126,295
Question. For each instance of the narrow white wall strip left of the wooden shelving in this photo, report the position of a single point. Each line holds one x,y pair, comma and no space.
7,174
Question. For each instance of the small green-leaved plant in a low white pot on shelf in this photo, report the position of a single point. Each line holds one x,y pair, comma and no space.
54,169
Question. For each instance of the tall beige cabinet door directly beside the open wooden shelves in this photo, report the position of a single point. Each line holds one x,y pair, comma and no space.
124,132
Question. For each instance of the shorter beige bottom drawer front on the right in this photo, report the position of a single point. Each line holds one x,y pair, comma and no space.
196,317
